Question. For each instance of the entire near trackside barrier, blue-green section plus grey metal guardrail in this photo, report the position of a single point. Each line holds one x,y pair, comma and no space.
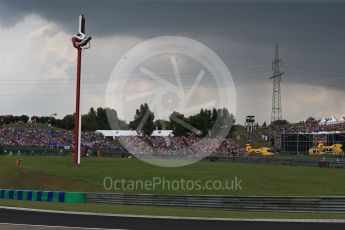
322,204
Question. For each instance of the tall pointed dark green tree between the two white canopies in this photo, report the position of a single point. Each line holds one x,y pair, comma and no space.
143,120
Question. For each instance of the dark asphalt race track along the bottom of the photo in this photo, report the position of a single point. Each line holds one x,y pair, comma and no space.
25,219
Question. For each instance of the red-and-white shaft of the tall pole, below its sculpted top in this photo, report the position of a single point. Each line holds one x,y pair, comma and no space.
76,152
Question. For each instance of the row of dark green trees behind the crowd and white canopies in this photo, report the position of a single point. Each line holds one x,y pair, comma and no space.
210,122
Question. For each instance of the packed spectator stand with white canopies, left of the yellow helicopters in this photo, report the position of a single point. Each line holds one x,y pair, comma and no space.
162,141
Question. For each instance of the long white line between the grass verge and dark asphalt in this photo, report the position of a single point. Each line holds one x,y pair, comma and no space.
179,217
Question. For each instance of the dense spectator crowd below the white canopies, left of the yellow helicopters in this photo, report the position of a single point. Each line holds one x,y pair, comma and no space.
184,145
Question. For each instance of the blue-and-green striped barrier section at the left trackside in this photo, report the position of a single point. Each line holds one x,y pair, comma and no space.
48,196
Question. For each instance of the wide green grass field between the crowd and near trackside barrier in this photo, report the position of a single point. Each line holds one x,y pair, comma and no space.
58,173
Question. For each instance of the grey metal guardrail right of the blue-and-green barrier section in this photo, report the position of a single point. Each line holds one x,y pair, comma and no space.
242,203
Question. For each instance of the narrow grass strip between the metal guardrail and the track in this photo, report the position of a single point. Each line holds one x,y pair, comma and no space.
163,211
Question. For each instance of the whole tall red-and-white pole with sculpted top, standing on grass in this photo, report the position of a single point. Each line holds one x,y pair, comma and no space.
80,42
